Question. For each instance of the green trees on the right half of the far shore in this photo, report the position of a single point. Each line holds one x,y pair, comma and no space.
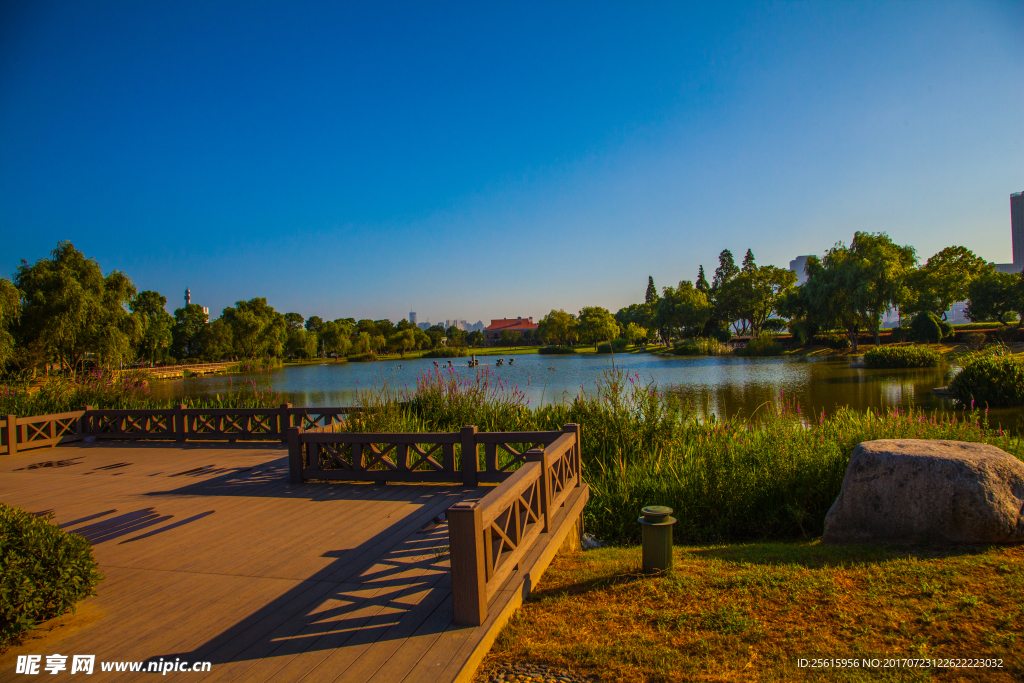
850,290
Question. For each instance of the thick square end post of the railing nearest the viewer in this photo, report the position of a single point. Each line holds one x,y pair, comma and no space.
470,590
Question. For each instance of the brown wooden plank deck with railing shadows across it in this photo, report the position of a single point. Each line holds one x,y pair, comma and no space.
211,556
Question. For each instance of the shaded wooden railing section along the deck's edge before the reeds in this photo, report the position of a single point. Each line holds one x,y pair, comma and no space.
324,454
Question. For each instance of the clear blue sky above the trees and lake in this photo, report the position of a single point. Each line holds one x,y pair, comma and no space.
489,160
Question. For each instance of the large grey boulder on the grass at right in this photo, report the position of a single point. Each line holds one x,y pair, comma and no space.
913,491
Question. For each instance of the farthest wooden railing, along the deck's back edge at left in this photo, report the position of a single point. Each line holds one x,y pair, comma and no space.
179,423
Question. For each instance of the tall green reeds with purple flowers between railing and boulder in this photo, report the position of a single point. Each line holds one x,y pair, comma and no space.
772,477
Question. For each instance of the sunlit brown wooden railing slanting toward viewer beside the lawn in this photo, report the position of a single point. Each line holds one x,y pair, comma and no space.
491,538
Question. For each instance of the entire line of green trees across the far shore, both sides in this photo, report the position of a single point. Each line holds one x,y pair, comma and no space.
64,310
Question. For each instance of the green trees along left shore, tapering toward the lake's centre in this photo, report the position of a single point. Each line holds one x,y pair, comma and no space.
64,311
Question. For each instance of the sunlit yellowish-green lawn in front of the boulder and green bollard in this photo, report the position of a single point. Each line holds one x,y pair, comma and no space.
748,612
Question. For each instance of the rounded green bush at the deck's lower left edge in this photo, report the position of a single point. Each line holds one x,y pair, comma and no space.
45,571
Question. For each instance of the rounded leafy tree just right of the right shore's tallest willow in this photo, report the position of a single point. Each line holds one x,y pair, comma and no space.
944,281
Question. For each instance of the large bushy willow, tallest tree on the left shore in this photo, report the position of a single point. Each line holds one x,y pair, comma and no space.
73,310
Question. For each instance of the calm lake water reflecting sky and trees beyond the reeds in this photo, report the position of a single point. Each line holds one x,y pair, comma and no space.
721,386
